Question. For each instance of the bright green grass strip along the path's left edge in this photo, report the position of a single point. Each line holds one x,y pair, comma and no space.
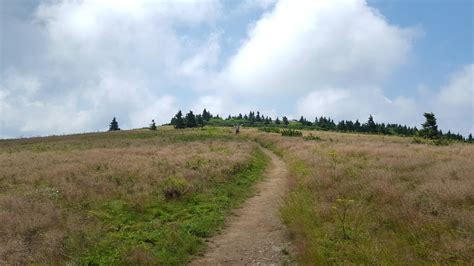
165,231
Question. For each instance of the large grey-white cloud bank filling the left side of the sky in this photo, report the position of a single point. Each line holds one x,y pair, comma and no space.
99,59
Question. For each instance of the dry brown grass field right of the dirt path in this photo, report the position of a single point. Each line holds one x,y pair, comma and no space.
413,203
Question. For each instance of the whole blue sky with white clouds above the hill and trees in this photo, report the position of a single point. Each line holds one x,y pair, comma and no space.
71,66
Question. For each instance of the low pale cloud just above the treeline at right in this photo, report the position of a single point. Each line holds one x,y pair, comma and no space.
453,104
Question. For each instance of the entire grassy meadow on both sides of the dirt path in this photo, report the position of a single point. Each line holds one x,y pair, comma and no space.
153,197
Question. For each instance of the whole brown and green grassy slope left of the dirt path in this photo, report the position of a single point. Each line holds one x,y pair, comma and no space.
120,197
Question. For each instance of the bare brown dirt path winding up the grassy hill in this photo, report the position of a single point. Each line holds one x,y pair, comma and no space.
255,235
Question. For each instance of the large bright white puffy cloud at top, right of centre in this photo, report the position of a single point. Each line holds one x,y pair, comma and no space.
301,47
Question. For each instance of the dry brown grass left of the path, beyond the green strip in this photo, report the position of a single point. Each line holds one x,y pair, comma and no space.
49,186
